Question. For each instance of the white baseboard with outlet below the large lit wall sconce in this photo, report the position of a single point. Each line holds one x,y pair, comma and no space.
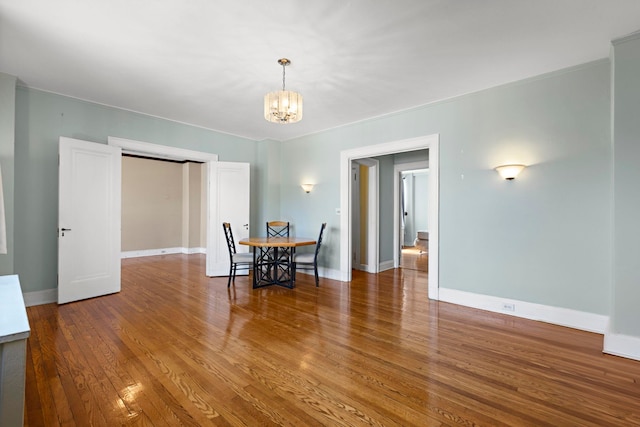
556,315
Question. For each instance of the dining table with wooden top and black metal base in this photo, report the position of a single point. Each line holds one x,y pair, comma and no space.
273,259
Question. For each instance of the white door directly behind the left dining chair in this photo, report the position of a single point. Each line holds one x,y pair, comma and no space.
229,190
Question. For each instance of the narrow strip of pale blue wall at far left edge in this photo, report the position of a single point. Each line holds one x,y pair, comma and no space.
7,153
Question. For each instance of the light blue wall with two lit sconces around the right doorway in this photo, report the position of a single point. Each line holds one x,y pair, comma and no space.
544,238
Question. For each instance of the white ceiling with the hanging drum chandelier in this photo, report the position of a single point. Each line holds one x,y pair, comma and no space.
209,63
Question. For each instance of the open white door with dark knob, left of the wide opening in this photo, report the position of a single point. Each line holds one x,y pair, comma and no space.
88,220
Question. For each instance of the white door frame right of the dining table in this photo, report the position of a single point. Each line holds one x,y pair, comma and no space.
430,142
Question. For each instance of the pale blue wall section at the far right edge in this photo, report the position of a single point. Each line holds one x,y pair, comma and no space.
625,318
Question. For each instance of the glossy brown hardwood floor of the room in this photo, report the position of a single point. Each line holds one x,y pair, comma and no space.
177,348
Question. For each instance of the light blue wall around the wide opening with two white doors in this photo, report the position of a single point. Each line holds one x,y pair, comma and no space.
41,118
